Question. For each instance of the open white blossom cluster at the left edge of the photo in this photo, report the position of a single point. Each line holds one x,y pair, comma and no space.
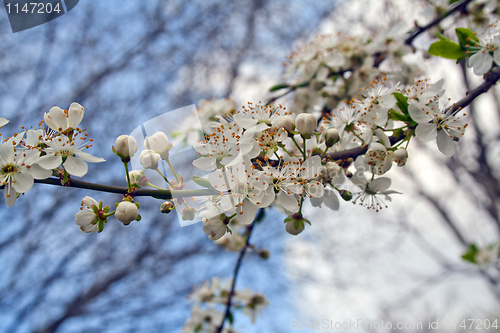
40,153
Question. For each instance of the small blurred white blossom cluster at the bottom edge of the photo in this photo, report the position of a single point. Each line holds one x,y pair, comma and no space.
215,293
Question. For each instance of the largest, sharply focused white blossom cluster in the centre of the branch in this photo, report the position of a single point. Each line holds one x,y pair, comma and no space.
263,155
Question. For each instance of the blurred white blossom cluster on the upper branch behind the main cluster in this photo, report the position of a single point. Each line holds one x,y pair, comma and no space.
333,68
